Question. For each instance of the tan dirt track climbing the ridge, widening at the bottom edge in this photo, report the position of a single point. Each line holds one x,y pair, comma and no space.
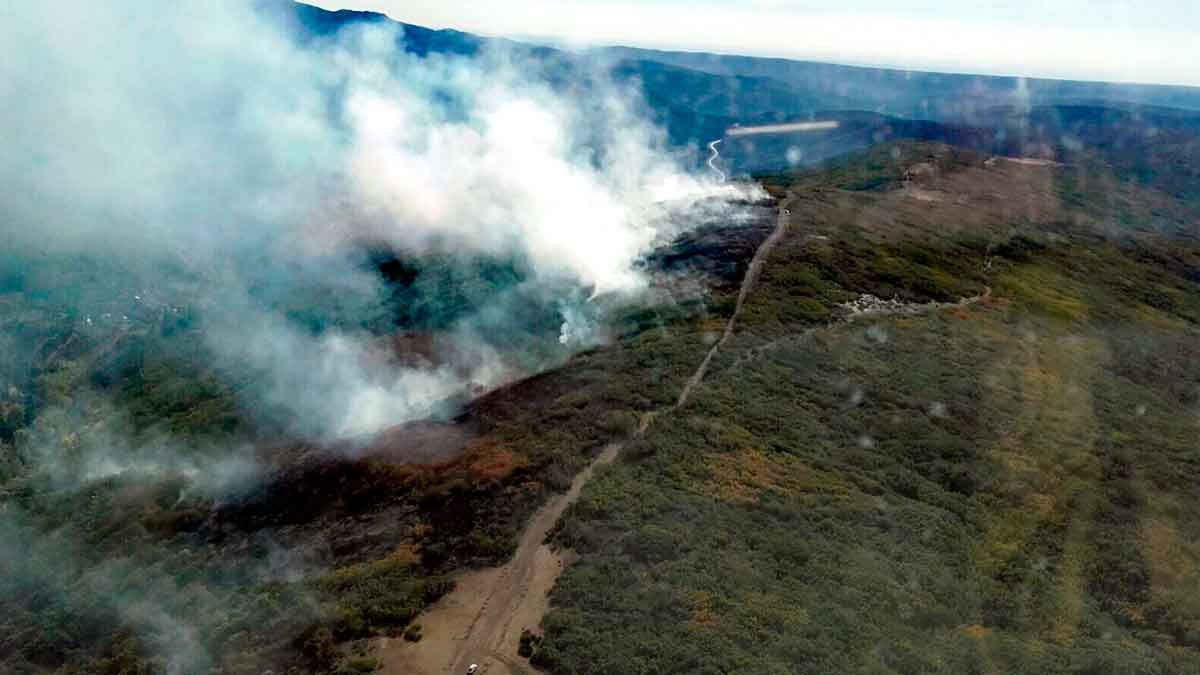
482,619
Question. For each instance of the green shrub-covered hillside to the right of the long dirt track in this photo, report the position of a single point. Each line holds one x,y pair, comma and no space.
997,488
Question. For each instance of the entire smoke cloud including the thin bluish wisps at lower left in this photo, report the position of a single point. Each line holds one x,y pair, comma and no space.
199,164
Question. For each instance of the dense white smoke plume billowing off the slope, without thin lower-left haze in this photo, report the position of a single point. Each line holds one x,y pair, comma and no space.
203,135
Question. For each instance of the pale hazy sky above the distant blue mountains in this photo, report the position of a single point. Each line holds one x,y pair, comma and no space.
1113,40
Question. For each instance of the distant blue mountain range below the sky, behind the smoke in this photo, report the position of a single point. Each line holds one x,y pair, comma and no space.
698,97
